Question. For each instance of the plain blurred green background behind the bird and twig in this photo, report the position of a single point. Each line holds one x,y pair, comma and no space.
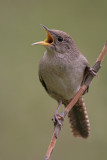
25,108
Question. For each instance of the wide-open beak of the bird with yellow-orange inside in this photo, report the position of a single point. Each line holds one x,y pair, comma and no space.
49,39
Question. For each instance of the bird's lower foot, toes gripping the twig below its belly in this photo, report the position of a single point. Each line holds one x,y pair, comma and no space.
58,119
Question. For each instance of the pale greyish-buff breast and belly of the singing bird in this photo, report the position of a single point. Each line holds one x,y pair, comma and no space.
62,80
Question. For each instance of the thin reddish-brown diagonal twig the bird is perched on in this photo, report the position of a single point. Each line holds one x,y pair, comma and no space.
87,82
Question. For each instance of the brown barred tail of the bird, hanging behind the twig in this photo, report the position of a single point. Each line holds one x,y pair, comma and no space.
78,118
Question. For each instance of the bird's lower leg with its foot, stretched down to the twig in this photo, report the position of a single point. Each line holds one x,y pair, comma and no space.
58,117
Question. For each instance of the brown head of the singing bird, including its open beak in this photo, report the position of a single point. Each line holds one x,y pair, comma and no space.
57,41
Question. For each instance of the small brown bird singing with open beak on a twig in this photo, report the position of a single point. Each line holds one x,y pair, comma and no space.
61,71
